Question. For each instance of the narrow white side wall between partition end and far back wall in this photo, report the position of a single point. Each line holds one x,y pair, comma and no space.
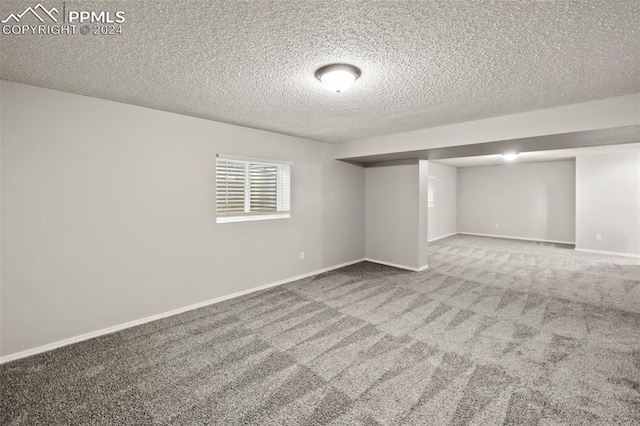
443,216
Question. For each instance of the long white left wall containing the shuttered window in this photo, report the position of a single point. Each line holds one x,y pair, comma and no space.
108,214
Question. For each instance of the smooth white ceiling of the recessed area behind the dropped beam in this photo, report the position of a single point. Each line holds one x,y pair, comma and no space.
539,156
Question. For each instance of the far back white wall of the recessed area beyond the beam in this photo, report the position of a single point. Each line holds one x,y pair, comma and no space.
528,200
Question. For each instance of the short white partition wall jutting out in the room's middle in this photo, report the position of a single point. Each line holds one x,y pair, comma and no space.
393,213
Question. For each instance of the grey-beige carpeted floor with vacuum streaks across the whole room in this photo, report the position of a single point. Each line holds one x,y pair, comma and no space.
495,332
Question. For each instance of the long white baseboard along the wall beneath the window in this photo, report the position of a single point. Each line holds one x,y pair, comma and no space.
108,330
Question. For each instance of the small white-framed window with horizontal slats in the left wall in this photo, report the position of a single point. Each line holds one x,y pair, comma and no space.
252,189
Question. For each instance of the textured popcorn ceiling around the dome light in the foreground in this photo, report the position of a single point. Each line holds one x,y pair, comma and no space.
424,63
